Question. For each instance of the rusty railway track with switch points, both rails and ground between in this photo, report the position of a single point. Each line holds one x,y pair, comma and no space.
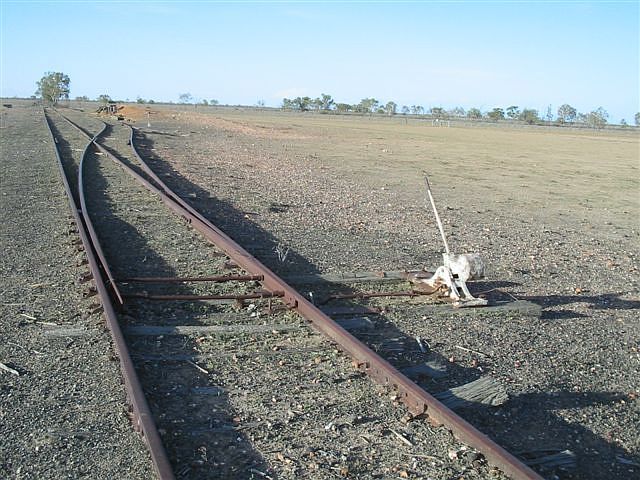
199,324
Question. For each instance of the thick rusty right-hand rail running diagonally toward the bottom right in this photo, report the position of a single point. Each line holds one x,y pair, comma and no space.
417,400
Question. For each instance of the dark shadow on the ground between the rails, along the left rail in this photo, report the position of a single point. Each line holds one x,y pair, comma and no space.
194,415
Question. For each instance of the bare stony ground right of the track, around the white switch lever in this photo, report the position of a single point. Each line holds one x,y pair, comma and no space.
553,212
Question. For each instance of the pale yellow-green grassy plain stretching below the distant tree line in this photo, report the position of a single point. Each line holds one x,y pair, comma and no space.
560,174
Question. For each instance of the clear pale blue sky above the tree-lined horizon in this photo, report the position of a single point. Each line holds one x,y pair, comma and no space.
472,54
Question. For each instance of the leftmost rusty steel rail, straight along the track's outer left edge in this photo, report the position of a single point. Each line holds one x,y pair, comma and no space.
143,419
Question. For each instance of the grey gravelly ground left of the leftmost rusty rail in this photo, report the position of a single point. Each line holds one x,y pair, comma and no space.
63,413
